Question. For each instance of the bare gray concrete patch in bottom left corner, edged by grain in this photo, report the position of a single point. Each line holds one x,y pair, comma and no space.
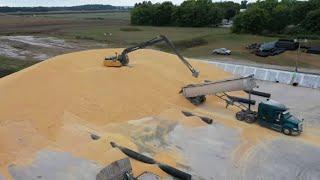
51,165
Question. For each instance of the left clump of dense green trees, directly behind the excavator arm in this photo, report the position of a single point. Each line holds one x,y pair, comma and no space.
191,13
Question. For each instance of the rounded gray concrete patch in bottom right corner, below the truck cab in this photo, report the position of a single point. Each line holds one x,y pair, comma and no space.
284,159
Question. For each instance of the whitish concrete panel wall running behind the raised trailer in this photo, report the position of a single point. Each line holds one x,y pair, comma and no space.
305,80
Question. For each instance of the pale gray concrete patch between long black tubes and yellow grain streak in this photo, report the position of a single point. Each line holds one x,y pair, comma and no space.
207,150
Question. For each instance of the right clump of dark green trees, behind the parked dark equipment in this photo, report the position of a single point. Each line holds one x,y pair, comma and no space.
280,17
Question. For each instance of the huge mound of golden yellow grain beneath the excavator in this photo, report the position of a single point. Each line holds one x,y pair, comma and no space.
34,101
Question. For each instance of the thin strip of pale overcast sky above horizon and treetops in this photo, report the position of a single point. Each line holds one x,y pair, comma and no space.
78,2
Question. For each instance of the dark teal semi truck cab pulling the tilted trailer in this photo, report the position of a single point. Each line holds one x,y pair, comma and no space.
276,116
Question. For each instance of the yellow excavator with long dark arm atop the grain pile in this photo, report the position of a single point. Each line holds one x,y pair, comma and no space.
123,59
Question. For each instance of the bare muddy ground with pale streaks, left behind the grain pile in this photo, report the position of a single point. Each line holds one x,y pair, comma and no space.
38,48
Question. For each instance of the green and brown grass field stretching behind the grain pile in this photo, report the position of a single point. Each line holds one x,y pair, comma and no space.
193,42
